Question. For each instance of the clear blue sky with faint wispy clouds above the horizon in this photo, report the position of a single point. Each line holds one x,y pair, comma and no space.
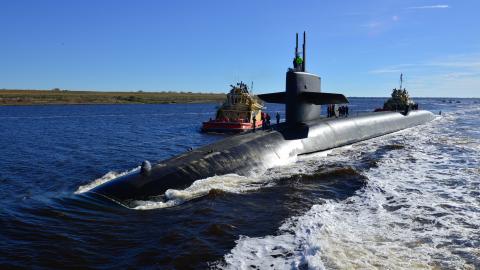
357,47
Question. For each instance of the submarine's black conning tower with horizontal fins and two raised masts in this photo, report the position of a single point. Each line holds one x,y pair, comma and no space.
302,97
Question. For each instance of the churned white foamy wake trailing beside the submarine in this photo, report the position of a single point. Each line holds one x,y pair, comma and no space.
419,210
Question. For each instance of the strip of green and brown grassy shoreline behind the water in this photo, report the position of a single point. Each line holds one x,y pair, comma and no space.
57,96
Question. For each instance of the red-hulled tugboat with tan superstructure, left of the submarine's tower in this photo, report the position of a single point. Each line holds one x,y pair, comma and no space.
239,113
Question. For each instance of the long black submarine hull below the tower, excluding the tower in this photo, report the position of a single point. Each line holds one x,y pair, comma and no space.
255,152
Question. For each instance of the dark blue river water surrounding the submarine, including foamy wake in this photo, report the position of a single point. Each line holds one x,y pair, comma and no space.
405,200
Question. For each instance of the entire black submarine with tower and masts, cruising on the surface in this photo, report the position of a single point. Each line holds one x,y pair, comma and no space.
303,132
